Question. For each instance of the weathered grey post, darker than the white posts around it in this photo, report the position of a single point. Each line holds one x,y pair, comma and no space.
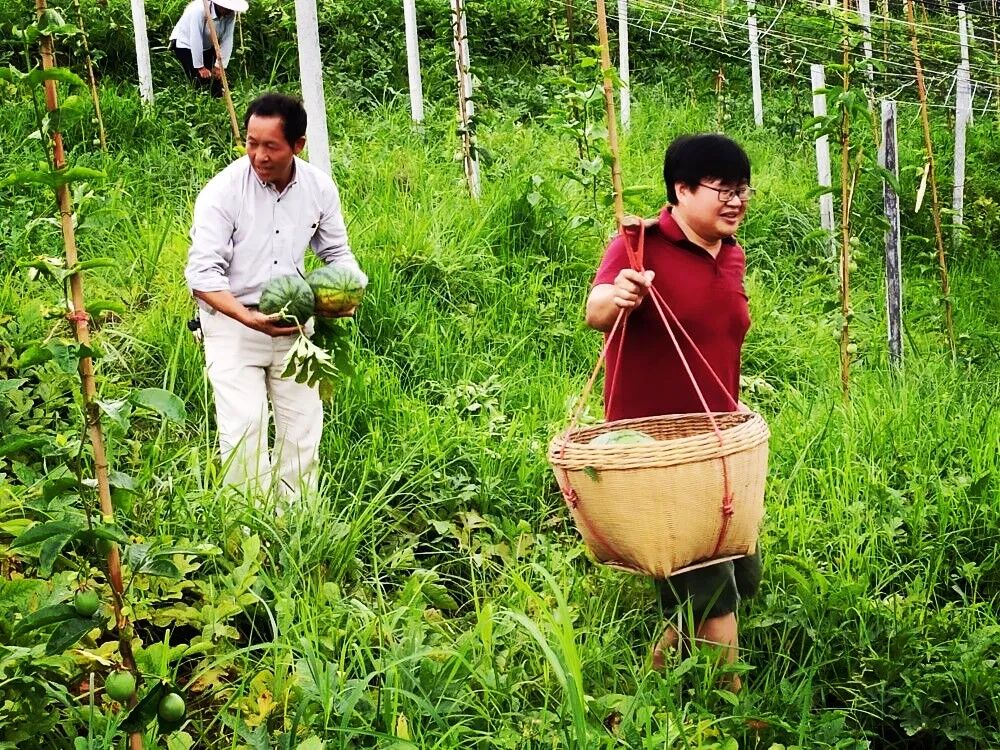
889,159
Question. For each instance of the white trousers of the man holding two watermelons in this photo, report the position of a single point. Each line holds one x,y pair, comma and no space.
244,367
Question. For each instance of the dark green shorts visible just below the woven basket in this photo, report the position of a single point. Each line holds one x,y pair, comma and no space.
713,591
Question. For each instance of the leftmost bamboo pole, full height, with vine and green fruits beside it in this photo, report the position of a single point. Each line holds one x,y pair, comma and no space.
80,320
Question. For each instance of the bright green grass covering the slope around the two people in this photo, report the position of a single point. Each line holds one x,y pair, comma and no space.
436,595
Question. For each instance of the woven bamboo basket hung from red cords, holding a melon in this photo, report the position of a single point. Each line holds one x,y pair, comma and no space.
658,508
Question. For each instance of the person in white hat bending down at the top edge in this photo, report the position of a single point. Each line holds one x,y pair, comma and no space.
191,41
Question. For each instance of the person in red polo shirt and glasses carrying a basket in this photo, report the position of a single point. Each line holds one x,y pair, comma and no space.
693,261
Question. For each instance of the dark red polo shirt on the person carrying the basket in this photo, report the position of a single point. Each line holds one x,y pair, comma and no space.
707,296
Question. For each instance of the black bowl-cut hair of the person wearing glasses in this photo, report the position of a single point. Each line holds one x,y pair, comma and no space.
690,159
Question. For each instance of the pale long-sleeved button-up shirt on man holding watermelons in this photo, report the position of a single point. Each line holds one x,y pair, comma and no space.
245,233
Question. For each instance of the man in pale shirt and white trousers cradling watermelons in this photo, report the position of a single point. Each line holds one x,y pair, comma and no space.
252,222
